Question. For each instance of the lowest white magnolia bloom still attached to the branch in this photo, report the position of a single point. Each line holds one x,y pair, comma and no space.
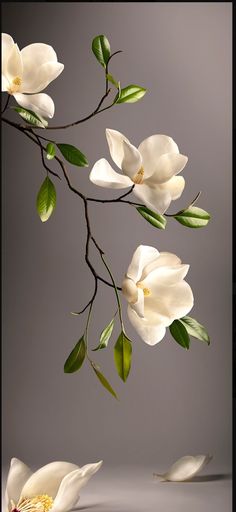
157,294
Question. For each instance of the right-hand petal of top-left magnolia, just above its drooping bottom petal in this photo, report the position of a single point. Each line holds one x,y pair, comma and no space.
38,81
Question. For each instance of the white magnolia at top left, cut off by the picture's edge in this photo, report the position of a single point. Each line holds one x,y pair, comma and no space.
27,72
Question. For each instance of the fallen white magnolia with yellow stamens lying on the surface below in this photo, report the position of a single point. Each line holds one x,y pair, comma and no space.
55,487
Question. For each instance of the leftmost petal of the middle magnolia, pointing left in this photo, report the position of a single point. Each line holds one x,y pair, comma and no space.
103,175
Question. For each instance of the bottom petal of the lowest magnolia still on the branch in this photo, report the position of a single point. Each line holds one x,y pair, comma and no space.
151,333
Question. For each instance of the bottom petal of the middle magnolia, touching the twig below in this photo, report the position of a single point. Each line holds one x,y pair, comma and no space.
153,197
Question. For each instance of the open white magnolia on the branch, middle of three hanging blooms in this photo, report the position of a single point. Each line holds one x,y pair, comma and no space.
151,168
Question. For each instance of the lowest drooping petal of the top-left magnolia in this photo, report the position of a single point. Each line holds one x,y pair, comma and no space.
41,104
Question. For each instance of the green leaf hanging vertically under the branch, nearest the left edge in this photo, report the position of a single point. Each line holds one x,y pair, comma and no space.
46,199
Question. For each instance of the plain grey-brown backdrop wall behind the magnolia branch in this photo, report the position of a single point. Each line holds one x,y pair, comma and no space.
175,402
